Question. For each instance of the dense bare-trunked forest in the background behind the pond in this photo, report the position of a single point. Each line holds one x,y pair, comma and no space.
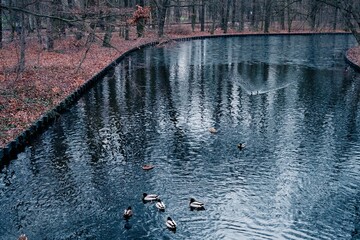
51,19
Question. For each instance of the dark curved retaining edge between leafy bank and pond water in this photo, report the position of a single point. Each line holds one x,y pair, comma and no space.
21,141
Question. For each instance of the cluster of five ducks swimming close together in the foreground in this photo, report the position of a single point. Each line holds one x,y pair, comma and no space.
170,223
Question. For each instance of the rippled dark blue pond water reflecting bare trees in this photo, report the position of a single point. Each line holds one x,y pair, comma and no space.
287,98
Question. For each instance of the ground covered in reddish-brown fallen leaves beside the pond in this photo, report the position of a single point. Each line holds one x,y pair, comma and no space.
51,76
